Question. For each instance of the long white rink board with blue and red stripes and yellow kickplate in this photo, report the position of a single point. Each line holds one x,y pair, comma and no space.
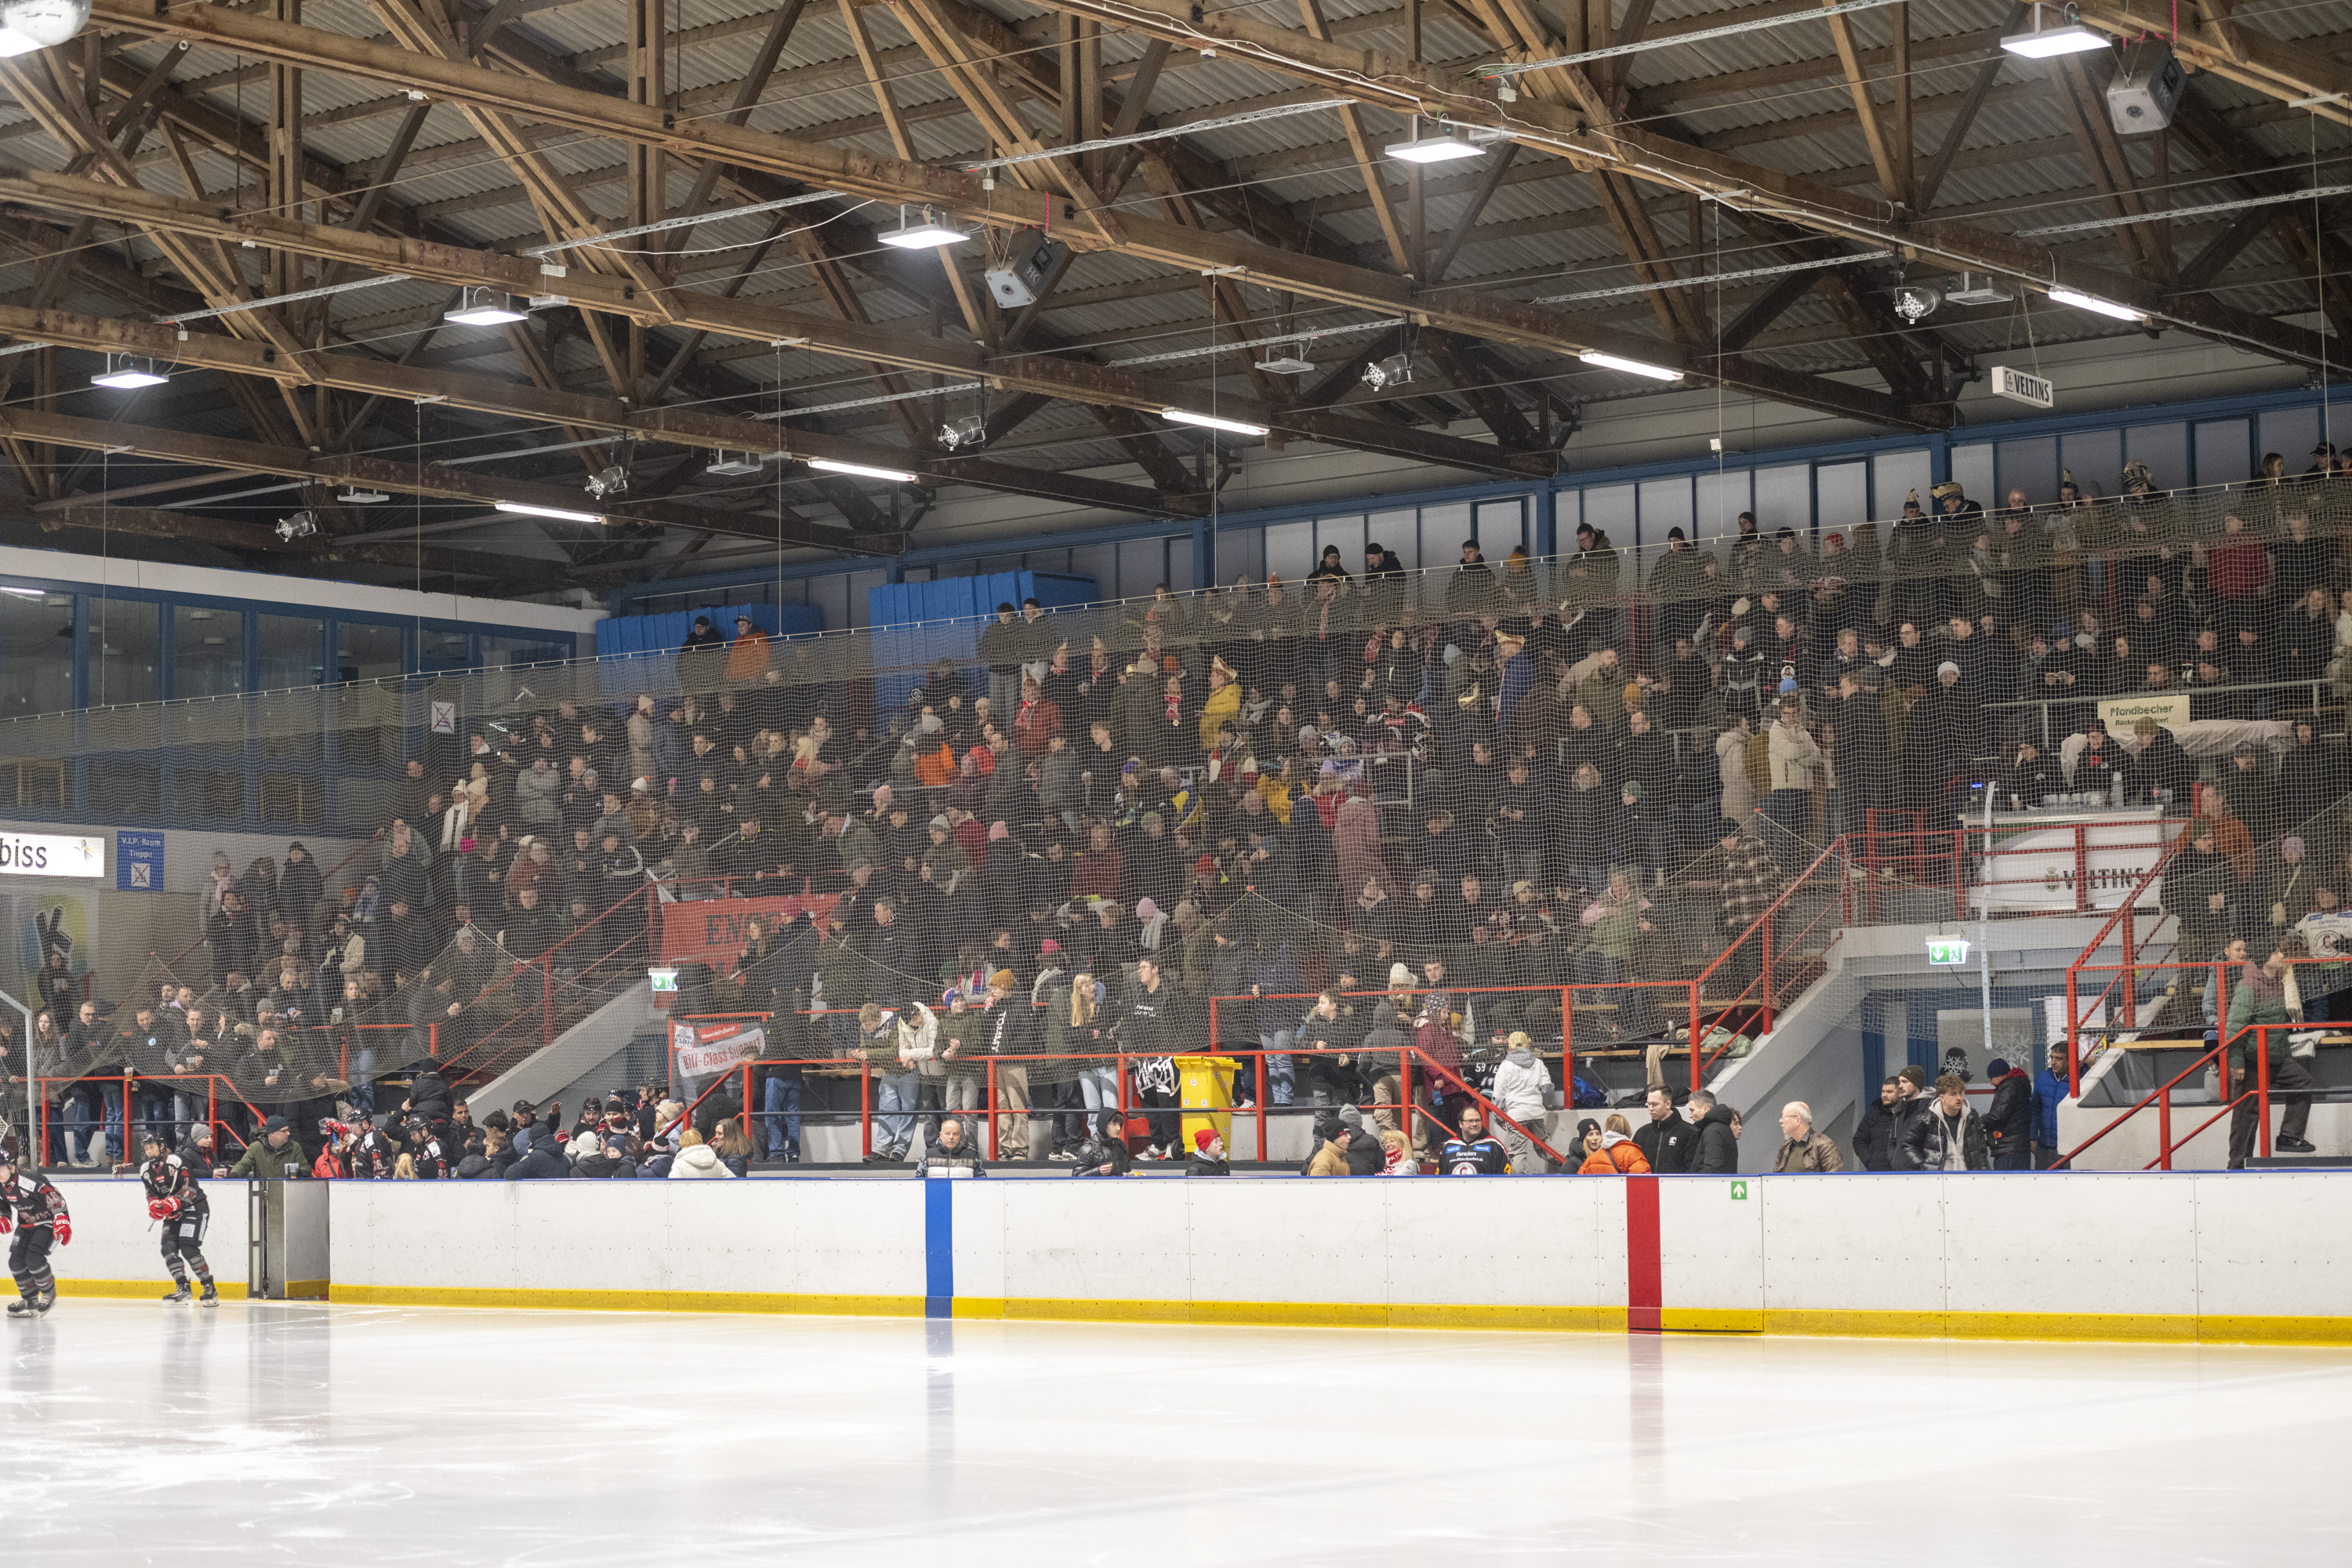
2233,1259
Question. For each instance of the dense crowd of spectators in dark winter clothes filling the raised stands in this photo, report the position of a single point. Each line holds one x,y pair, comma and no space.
1417,789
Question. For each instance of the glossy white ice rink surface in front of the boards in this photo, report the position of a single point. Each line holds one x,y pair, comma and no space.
382,1435
